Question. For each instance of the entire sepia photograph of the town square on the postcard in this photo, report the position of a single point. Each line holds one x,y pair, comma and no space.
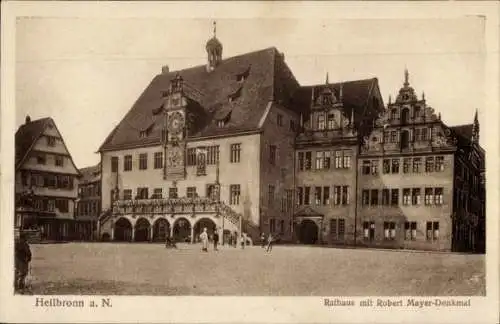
249,157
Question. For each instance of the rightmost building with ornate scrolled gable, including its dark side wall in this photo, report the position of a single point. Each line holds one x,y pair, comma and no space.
419,180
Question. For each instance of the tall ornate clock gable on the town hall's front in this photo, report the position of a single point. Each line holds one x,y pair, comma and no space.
175,120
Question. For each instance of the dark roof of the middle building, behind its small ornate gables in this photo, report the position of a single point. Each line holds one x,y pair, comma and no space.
355,97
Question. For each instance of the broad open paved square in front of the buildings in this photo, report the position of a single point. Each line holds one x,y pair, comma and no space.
151,269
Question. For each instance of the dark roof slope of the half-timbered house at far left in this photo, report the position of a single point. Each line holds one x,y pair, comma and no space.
27,134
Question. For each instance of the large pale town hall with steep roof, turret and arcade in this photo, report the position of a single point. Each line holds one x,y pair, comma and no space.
207,146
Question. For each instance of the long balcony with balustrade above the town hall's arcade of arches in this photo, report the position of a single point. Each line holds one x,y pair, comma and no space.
165,206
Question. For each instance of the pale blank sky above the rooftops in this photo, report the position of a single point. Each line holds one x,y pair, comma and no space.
86,73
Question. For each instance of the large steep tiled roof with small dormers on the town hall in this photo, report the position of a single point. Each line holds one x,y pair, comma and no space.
267,78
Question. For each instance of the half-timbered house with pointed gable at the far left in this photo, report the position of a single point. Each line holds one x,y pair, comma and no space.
46,181
